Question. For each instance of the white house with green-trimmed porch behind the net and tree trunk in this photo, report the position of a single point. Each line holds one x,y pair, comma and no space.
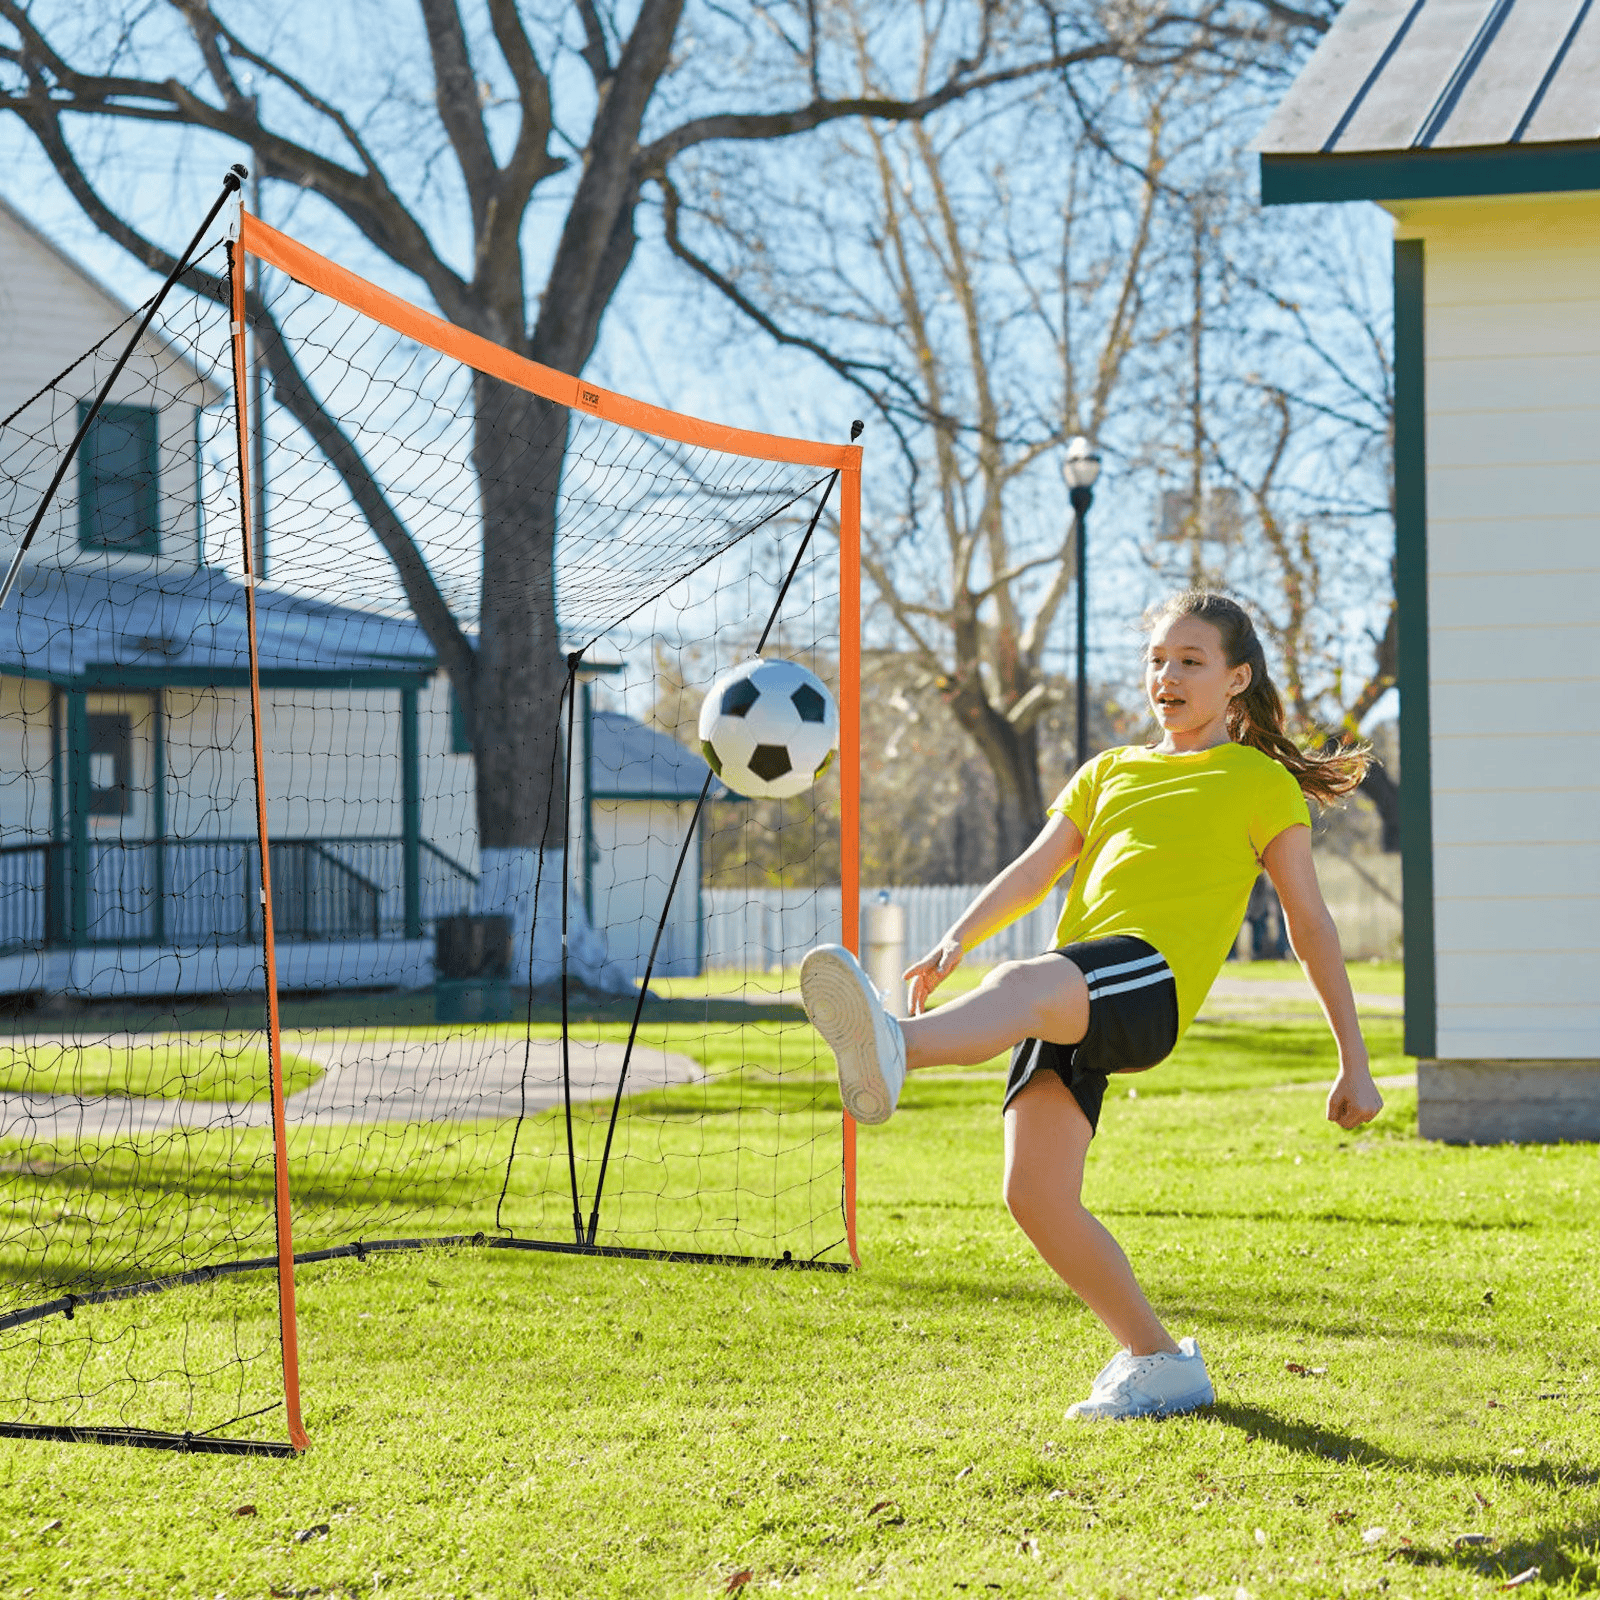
129,857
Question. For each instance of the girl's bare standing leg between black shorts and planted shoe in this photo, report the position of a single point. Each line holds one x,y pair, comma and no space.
1047,1137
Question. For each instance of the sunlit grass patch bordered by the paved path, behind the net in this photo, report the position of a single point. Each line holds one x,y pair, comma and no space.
218,1068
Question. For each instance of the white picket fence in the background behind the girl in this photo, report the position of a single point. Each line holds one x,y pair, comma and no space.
770,929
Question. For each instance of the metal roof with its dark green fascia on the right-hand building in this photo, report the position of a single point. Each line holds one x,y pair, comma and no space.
1417,98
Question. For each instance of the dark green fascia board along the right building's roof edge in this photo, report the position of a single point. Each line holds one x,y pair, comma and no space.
1431,175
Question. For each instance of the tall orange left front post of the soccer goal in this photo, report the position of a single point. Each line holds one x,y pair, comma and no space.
281,1156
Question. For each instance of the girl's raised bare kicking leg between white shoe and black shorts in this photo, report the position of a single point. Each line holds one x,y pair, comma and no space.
1041,999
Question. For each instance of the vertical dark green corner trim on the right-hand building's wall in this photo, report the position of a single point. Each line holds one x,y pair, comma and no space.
1417,780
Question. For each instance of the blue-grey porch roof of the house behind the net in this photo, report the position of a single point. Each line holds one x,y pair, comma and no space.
89,628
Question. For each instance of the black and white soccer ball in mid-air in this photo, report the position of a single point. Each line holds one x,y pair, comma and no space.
769,729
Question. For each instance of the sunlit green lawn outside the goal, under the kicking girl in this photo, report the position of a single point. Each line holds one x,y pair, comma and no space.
1401,1335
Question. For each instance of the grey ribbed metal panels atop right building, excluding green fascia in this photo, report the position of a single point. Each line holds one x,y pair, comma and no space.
1412,76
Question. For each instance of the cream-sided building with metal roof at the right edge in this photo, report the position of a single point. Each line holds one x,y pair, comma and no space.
1474,124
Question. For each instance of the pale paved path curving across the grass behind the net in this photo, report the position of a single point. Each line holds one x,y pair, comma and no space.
366,1081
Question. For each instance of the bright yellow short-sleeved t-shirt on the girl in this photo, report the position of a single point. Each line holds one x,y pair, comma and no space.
1172,846
